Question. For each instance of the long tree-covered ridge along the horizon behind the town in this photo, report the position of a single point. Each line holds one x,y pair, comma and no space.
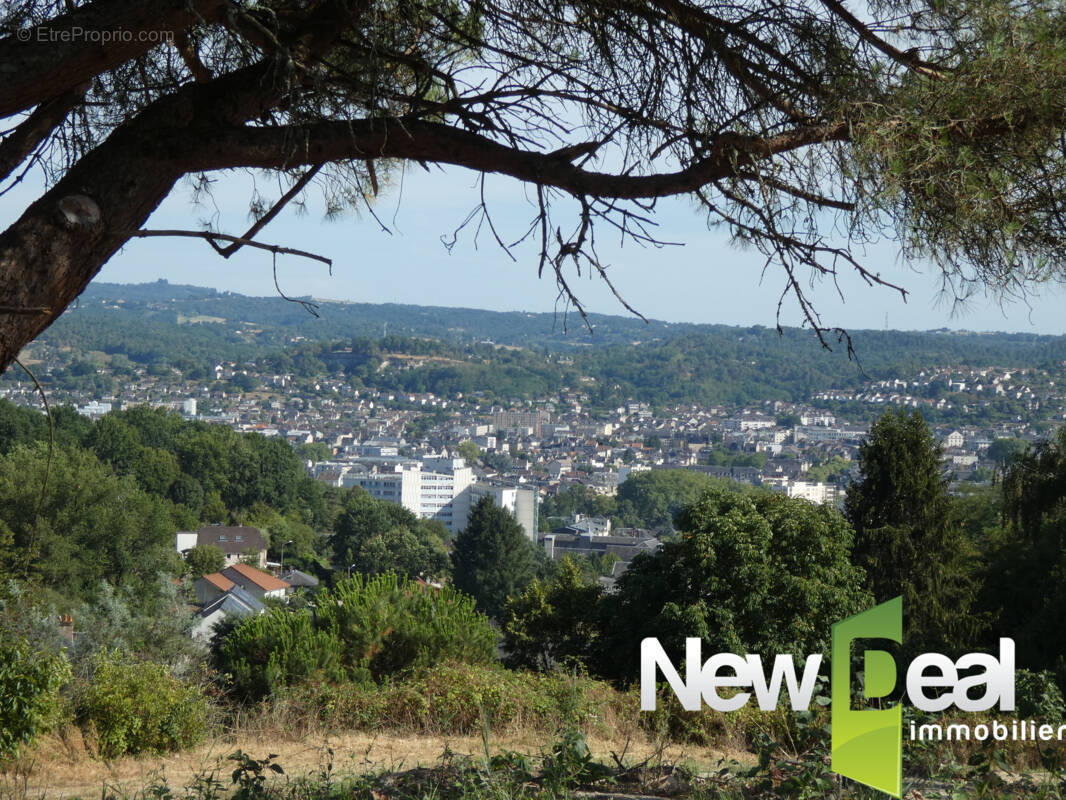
503,356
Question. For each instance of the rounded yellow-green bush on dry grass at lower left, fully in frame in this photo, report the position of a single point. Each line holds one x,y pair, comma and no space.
133,707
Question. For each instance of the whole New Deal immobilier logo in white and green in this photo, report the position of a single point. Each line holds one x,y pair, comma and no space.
867,743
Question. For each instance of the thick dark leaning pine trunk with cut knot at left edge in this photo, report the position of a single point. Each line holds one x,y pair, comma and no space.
59,245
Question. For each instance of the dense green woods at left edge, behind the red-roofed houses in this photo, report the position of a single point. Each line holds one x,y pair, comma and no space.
86,502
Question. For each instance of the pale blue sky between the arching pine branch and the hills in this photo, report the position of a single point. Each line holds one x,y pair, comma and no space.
706,281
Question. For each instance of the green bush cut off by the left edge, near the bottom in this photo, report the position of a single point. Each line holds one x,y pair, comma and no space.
30,684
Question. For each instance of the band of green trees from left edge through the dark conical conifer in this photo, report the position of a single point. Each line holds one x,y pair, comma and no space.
84,503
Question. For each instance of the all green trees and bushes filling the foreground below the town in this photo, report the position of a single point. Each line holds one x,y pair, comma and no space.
381,651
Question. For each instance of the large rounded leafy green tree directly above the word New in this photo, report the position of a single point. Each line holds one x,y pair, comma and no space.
758,573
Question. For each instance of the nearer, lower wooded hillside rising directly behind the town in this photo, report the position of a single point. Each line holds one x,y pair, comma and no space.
730,366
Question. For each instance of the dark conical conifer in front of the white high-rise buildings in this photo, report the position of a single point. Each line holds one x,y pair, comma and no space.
492,558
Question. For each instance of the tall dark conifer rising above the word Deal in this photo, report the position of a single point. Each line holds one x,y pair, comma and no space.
907,537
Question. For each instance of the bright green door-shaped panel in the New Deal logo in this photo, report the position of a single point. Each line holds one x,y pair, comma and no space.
867,745
